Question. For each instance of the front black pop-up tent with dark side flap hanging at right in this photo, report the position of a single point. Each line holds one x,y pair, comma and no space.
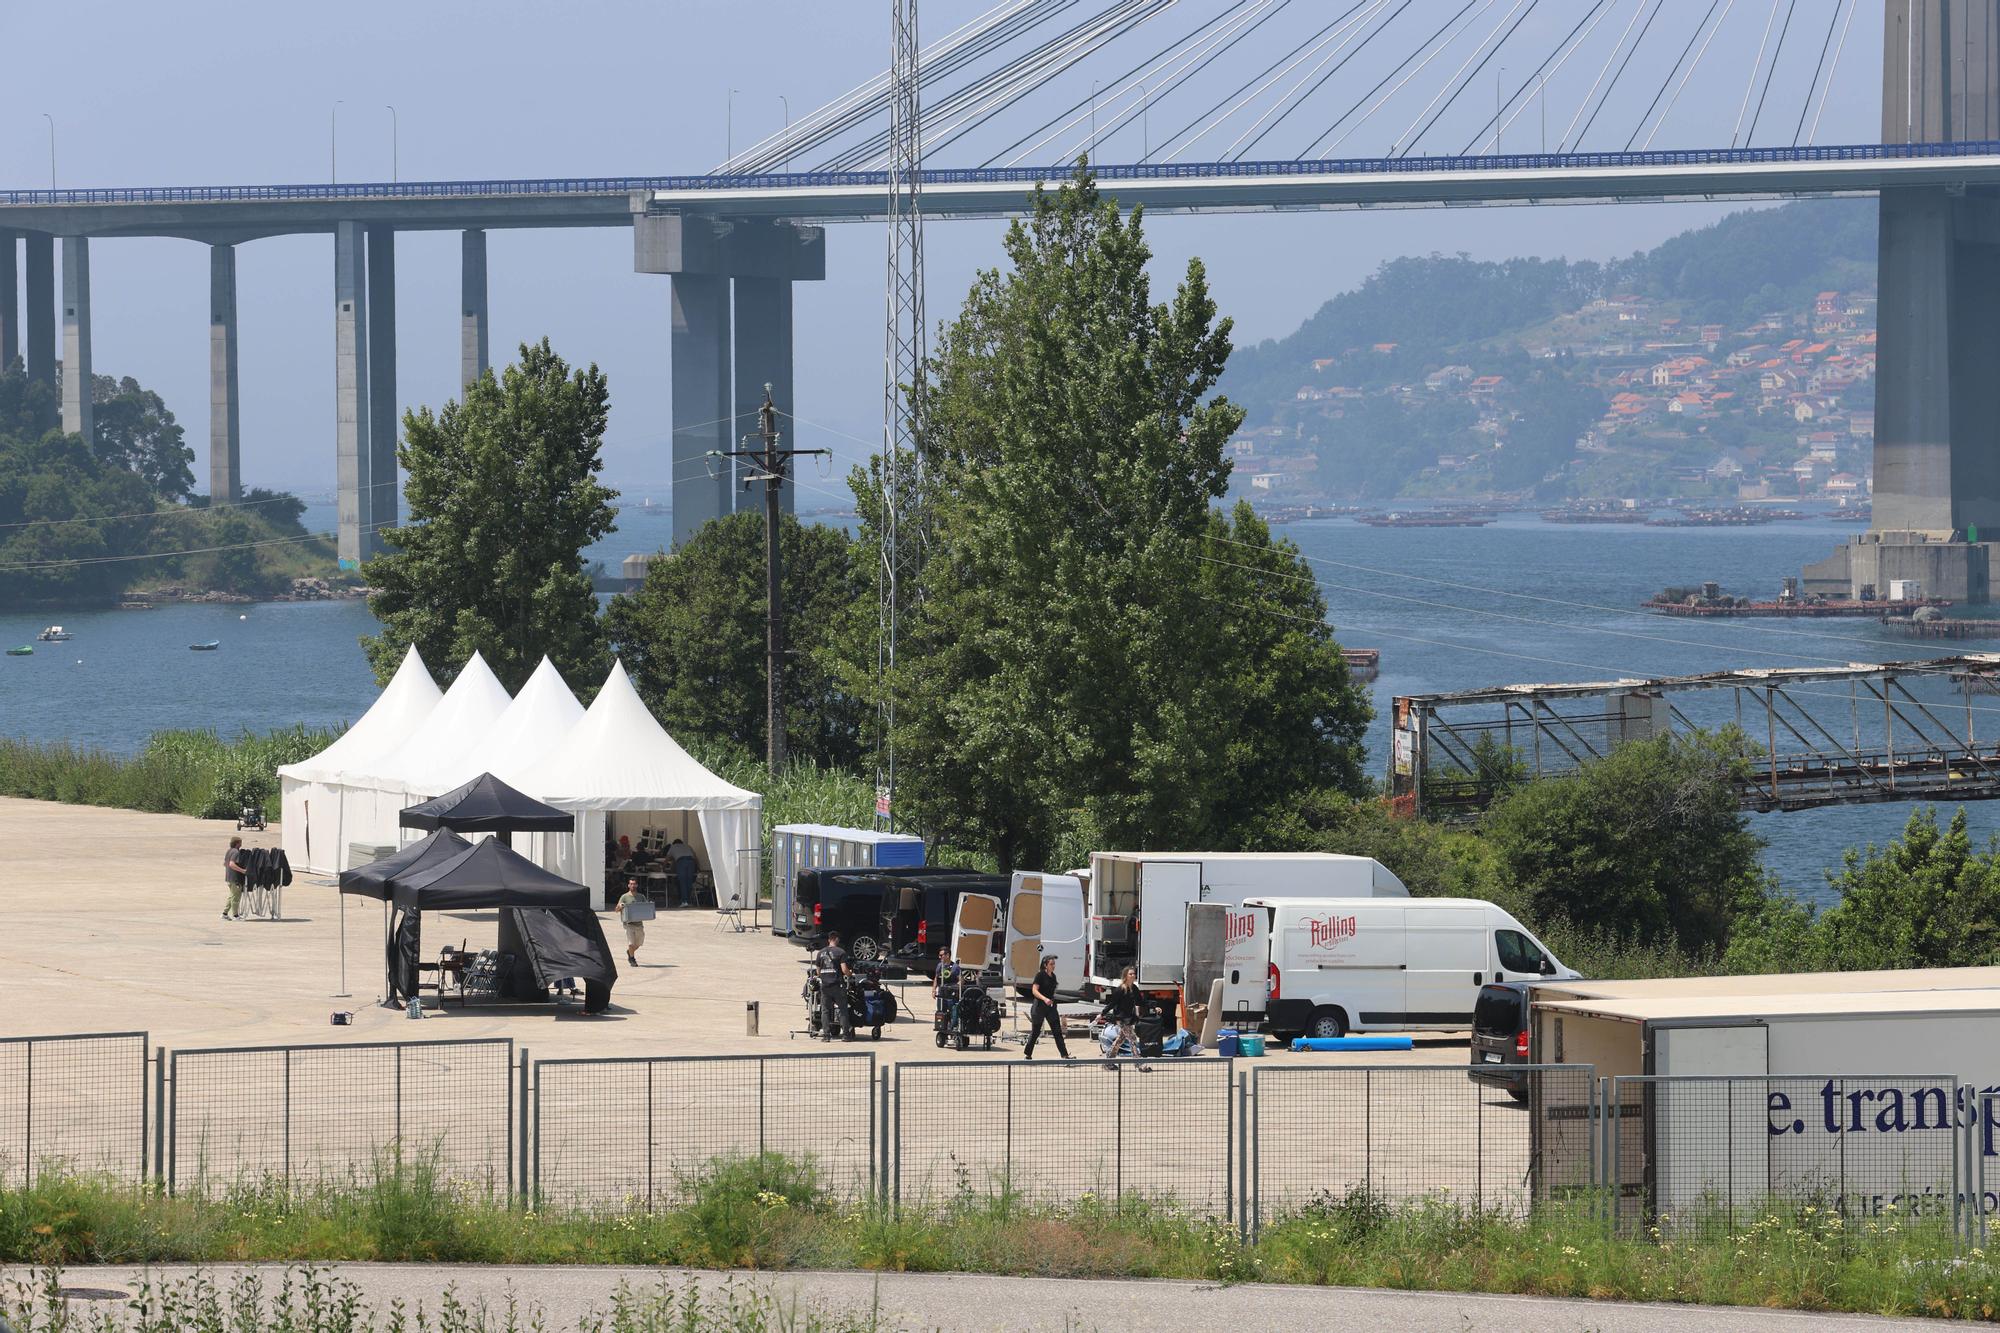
545,922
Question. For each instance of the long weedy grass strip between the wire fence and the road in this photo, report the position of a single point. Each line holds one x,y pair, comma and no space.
773,1214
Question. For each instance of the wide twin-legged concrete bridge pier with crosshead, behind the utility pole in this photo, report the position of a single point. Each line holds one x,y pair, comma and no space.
719,379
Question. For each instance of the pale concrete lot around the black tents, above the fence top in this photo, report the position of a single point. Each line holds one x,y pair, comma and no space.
113,924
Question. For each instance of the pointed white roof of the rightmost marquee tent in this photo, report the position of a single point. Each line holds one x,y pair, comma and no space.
621,760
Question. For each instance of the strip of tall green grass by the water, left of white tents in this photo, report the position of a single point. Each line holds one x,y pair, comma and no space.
175,774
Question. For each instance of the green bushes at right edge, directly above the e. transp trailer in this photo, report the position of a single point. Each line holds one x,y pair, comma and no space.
1927,900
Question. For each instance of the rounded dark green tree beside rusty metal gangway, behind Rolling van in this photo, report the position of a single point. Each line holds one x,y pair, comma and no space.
1643,846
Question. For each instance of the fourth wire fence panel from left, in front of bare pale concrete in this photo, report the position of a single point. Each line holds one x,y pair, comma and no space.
1053,1132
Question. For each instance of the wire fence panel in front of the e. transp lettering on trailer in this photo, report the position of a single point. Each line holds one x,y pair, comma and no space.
1737,1146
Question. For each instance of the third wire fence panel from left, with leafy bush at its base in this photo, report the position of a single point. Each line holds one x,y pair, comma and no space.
637,1132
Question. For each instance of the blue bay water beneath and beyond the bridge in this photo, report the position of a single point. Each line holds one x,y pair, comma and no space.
1435,601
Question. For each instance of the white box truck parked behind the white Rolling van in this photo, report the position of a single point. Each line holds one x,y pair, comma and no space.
1137,902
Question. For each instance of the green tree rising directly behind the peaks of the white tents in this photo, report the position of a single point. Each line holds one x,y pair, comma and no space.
505,497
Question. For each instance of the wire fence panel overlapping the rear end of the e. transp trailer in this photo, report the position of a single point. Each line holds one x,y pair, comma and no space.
1321,1136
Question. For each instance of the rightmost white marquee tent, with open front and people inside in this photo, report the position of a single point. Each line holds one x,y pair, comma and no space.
623,774
